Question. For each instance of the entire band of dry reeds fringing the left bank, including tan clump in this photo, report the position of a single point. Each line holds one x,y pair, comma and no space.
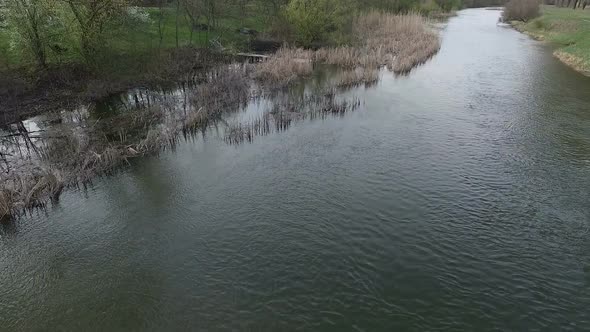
37,164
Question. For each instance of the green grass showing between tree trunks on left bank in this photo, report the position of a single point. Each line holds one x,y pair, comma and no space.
143,39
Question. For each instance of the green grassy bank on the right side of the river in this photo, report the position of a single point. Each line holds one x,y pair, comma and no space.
568,29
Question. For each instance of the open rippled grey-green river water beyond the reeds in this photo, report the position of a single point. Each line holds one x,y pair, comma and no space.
457,198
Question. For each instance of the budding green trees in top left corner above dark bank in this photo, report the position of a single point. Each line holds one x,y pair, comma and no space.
42,29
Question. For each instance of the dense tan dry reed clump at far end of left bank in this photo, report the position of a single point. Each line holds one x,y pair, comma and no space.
398,42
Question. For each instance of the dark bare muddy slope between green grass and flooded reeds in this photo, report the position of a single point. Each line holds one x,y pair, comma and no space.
24,94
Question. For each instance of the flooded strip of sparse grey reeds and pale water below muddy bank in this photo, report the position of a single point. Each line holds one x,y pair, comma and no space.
71,148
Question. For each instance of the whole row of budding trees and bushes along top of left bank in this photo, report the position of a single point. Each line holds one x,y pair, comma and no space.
47,31
